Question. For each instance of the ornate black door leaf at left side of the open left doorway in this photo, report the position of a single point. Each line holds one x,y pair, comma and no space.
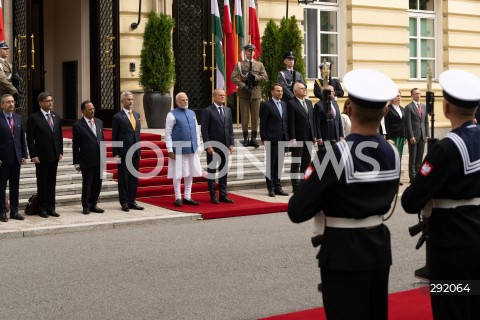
28,54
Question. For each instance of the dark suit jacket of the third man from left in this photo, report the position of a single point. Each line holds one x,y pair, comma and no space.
85,145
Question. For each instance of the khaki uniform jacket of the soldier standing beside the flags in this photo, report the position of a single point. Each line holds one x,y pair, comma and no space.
242,69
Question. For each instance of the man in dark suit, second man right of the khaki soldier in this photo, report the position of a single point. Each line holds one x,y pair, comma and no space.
301,131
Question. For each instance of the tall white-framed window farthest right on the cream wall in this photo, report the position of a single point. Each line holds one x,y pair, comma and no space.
422,38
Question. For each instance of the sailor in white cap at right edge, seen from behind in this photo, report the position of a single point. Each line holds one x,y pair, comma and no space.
448,183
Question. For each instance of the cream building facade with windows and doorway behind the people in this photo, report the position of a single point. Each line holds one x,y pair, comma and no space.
88,49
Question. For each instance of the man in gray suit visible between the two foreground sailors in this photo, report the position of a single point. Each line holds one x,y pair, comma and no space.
417,132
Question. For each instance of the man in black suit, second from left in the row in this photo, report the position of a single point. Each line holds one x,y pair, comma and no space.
45,145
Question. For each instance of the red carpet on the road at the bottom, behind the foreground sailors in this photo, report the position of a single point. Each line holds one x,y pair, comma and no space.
405,305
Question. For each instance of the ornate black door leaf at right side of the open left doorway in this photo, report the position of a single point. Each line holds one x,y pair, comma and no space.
104,58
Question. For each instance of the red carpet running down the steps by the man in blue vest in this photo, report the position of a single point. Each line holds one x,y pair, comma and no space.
158,190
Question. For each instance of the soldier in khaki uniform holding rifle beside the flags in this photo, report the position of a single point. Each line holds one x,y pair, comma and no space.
248,75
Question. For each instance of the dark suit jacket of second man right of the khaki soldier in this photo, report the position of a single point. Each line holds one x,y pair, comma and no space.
301,126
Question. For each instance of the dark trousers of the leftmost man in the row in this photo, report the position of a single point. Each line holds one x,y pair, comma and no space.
10,174
